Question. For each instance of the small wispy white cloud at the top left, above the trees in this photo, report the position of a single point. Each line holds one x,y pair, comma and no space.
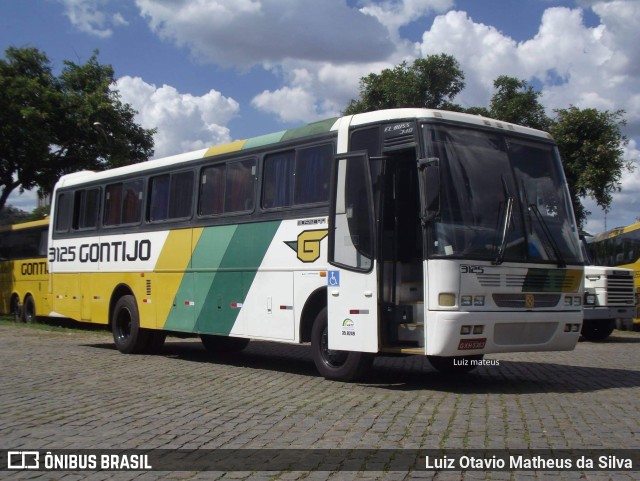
90,16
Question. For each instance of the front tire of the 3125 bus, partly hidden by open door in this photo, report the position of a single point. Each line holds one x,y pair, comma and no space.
343,366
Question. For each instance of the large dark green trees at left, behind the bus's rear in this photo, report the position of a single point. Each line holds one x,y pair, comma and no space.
50,126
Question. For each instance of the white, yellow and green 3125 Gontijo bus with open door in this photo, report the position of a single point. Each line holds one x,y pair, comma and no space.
406,231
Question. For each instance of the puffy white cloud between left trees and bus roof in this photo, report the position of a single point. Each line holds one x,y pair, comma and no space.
184,122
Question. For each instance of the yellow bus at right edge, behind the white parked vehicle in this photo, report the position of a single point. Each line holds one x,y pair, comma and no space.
620,247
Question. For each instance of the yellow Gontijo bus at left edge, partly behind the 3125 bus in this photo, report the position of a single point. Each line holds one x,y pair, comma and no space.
23,270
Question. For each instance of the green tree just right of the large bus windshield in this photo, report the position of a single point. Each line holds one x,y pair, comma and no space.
591,145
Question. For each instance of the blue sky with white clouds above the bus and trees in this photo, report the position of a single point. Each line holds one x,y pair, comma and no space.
210,71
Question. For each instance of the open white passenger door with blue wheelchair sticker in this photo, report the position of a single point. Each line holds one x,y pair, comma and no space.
352,282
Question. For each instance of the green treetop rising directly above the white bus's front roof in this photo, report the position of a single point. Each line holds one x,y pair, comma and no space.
431,82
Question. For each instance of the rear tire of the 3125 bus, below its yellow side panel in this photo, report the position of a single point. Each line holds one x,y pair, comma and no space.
128,336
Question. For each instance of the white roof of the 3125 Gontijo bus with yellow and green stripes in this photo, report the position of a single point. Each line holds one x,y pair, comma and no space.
316,128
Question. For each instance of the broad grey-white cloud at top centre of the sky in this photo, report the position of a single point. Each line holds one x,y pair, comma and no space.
249,32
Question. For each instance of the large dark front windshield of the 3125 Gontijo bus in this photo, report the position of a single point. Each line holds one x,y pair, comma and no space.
502,198
